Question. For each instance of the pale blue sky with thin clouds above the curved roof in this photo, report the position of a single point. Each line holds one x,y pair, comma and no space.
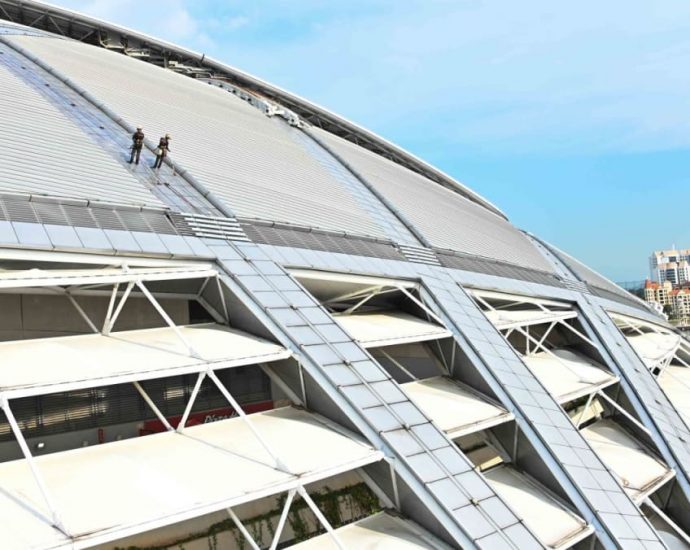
574,118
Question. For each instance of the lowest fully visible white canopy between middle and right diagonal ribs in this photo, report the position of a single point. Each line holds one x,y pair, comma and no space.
639,471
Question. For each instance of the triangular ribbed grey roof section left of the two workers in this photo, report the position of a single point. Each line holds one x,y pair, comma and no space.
45,153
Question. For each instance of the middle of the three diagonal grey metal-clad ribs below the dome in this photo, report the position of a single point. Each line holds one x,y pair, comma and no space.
563,448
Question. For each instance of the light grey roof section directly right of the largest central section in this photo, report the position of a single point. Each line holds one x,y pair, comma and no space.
445,218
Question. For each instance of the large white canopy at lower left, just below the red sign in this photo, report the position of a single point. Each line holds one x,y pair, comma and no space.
111,491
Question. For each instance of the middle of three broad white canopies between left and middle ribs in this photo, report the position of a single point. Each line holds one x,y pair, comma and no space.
454,407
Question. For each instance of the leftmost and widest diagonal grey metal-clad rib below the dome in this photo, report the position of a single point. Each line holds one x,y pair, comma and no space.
426,458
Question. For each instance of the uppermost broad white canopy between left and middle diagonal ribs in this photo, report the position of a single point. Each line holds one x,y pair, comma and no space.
374,330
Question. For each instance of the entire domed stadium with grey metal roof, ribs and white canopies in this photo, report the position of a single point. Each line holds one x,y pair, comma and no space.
484,388
